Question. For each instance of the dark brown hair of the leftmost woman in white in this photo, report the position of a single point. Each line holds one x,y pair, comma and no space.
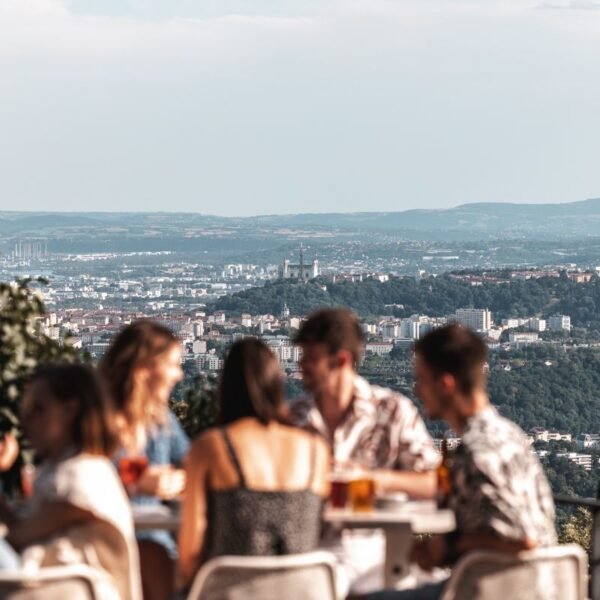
94,430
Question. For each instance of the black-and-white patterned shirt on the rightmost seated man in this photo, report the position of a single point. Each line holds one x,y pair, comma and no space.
498,484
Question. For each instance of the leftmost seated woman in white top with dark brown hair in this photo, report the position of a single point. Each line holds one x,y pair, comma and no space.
79,512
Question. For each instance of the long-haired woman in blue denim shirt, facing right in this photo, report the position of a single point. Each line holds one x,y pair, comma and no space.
140,369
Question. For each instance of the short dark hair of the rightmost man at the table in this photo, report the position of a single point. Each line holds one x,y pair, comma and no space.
456,350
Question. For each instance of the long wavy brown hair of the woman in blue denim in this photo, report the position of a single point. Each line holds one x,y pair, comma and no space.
137,346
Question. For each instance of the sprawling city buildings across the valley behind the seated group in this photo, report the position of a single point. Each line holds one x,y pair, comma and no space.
88,302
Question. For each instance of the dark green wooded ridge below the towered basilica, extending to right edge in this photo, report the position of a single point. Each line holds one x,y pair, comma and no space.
434,296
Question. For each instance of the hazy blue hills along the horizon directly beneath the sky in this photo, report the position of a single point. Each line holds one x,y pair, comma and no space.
466,222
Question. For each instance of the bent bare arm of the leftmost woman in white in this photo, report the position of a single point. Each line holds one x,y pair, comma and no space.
49,519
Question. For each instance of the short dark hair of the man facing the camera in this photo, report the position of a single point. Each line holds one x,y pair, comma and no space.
336,328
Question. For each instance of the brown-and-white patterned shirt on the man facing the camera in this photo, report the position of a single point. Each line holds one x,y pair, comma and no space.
381,430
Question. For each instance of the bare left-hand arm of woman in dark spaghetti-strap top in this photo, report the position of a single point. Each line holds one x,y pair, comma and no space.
193,520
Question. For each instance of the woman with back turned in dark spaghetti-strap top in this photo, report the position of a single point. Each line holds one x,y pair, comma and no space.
255,485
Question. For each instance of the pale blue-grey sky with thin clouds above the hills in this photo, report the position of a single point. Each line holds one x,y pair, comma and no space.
243,107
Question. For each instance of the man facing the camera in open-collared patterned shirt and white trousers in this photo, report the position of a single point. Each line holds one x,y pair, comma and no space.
369,427
